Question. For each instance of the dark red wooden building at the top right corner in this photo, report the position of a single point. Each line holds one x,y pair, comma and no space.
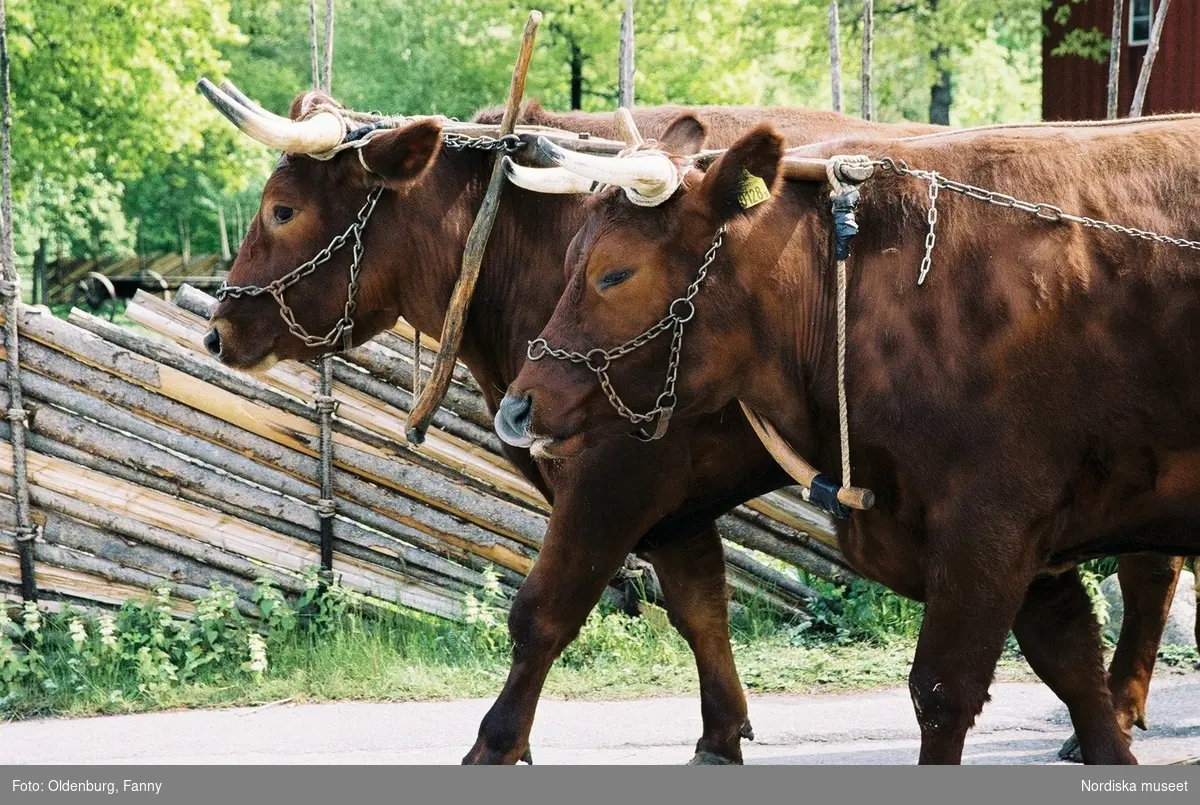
1075,88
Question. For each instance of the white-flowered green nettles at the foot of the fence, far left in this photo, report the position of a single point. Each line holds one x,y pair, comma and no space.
143,651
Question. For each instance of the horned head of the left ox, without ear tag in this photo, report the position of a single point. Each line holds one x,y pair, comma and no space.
307,205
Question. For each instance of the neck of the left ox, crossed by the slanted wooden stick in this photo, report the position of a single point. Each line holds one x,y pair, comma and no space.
523,274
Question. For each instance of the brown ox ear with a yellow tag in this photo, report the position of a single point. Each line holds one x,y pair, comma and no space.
745,176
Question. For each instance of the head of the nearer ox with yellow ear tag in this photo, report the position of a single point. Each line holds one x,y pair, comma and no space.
640,250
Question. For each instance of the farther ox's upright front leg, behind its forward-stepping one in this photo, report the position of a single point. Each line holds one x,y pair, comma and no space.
692,573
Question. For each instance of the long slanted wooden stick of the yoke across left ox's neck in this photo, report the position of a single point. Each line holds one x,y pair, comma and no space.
473,257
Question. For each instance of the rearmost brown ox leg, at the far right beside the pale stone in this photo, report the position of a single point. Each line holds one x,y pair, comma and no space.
1148,586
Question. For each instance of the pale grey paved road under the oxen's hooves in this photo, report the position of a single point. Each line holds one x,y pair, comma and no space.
1024,724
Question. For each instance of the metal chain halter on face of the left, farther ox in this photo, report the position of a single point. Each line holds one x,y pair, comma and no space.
344,331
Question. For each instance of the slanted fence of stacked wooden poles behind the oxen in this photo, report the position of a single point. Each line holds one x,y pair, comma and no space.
153,464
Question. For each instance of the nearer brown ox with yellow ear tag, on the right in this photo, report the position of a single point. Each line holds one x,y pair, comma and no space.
1034,405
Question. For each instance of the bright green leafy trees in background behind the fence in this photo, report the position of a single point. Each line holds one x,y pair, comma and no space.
116,152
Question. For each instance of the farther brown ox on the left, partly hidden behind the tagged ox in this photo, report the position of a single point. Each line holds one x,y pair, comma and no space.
413,250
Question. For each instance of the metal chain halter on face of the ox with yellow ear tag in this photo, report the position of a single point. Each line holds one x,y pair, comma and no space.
599,361
